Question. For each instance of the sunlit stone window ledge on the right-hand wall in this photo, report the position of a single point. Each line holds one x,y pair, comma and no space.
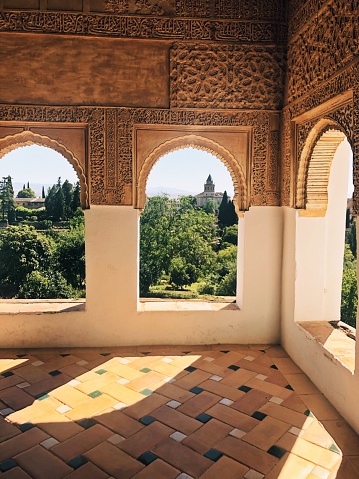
336,339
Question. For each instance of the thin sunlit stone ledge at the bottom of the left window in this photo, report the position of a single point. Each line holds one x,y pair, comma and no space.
39,306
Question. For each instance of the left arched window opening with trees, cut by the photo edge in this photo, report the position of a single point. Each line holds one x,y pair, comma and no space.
42,242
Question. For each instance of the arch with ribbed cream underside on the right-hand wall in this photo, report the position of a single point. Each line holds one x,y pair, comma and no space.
314,166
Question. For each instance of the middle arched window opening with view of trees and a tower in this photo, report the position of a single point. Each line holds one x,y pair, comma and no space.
189,229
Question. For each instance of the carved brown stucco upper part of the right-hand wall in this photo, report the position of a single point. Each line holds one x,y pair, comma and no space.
322,83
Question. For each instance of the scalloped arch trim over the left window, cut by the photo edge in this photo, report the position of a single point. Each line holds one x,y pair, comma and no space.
26,138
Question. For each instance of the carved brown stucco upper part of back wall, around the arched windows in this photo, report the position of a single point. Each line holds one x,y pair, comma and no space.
229,72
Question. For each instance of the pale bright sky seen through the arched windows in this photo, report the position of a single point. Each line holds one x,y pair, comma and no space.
186,169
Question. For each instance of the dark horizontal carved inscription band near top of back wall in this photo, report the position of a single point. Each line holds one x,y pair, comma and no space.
120,26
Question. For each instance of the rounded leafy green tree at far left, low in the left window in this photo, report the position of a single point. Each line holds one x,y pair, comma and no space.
23,250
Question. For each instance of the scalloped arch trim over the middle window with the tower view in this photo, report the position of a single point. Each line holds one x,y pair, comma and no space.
240,200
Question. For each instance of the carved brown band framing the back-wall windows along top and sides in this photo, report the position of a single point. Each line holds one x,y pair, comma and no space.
110,132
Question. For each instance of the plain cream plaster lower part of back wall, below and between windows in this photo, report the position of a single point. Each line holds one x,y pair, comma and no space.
112,316
